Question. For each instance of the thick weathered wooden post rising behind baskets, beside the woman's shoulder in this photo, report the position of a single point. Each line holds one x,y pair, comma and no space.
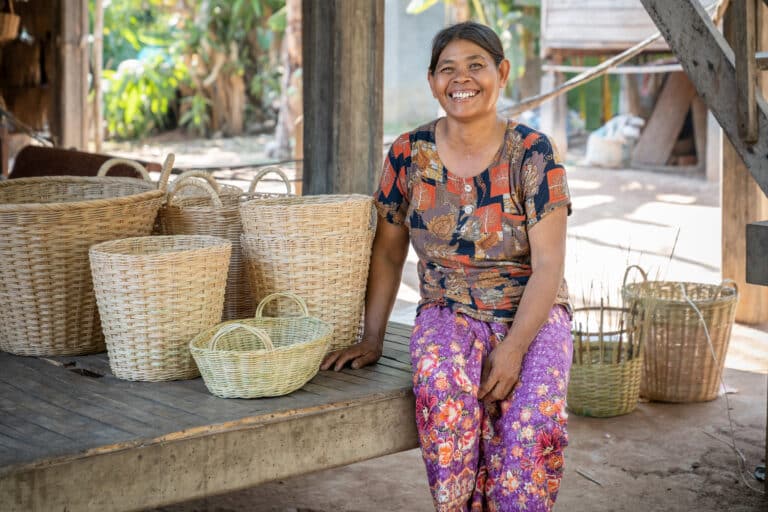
343,53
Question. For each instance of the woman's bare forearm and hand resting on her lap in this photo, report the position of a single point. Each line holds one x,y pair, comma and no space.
501,369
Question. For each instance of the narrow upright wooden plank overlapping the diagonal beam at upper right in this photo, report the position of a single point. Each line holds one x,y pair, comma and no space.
743,14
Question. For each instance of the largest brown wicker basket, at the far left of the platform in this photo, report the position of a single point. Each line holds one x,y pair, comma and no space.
47,226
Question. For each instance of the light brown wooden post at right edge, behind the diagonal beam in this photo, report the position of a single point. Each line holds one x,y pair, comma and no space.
742,202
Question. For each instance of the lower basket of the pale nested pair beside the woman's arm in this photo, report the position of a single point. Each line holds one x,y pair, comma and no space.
329,272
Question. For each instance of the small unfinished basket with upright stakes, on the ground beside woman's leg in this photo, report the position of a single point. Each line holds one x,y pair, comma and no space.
607,362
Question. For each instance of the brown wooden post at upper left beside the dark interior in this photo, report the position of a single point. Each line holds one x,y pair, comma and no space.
70,104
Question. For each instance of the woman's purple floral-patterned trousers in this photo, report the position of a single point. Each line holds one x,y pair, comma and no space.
498,456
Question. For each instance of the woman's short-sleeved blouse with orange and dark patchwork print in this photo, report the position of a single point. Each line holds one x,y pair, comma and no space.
471,234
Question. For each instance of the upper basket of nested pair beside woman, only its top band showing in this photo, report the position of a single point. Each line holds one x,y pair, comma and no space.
308,215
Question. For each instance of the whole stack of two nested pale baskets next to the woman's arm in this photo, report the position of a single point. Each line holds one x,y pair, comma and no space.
294,244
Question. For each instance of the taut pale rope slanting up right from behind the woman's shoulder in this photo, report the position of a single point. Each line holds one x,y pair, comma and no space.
715,9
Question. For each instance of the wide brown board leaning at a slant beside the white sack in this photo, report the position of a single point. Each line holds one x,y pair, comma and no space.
663,128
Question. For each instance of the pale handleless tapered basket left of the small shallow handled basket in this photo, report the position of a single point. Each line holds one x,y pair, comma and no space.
156,293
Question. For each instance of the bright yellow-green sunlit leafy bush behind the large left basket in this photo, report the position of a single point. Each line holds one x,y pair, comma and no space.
140,97
